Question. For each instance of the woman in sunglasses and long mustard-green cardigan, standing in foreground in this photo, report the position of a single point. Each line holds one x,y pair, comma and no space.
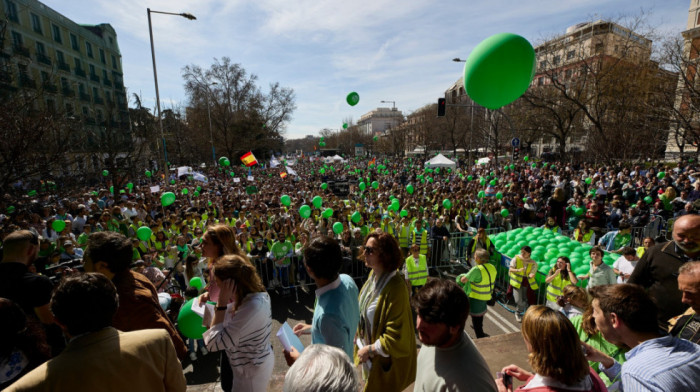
388,349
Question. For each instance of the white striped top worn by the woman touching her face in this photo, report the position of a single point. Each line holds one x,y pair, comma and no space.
245,335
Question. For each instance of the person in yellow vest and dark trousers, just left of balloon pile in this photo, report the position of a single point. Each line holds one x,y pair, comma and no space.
479,283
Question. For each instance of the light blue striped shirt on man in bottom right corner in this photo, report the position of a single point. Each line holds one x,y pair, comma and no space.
663,364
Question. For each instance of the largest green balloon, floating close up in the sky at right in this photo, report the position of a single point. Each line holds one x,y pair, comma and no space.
499,70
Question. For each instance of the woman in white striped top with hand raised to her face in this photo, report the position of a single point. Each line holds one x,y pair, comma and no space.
242,323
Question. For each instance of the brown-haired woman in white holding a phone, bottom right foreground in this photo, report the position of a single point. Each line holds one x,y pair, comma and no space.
558,367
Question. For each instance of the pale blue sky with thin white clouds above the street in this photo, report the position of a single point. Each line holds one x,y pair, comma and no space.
383,49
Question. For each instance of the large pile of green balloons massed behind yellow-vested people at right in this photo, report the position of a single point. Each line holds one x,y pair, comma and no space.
547,246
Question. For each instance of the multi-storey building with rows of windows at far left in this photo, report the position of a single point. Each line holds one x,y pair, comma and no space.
71,69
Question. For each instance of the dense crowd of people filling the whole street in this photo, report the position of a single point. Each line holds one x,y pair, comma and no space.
368,239
